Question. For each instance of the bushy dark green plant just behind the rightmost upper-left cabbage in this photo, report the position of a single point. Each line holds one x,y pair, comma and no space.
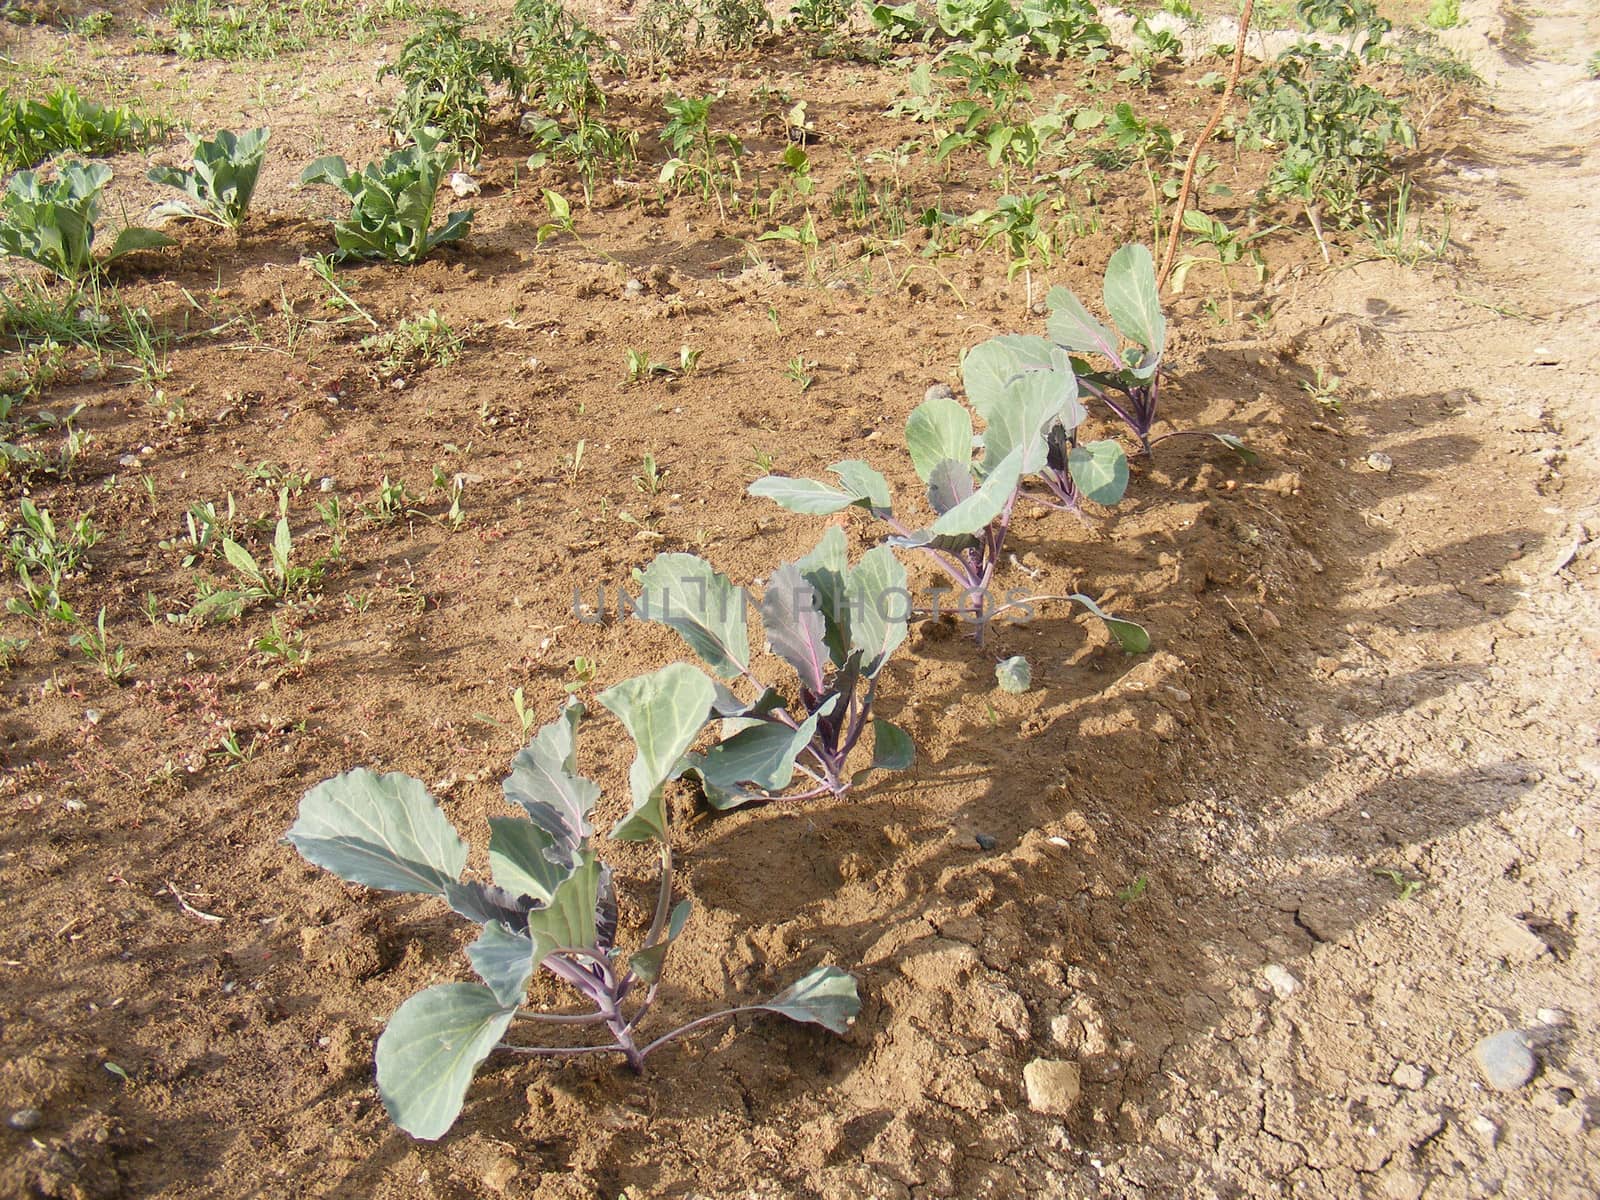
447,78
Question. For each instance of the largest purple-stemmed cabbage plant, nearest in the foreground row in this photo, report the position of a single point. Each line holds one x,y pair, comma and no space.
551,903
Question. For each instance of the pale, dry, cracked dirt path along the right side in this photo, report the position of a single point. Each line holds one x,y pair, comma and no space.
1455,740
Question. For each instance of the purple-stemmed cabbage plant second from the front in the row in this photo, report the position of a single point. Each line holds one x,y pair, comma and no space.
838,626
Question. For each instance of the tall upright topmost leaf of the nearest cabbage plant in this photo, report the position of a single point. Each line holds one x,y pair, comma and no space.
665,713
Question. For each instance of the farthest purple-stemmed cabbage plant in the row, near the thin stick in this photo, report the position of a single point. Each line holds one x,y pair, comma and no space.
1130,386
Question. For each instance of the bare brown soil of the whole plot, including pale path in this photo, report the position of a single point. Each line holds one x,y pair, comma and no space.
1265,887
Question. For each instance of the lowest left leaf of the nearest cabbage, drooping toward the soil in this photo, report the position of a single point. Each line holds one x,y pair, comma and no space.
430,1052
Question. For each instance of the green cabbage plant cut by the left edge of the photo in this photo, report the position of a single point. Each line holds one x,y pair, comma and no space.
54,223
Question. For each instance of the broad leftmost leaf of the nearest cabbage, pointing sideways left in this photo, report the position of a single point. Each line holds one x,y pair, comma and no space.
383,831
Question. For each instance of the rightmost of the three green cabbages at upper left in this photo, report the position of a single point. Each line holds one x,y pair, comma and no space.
393,202
